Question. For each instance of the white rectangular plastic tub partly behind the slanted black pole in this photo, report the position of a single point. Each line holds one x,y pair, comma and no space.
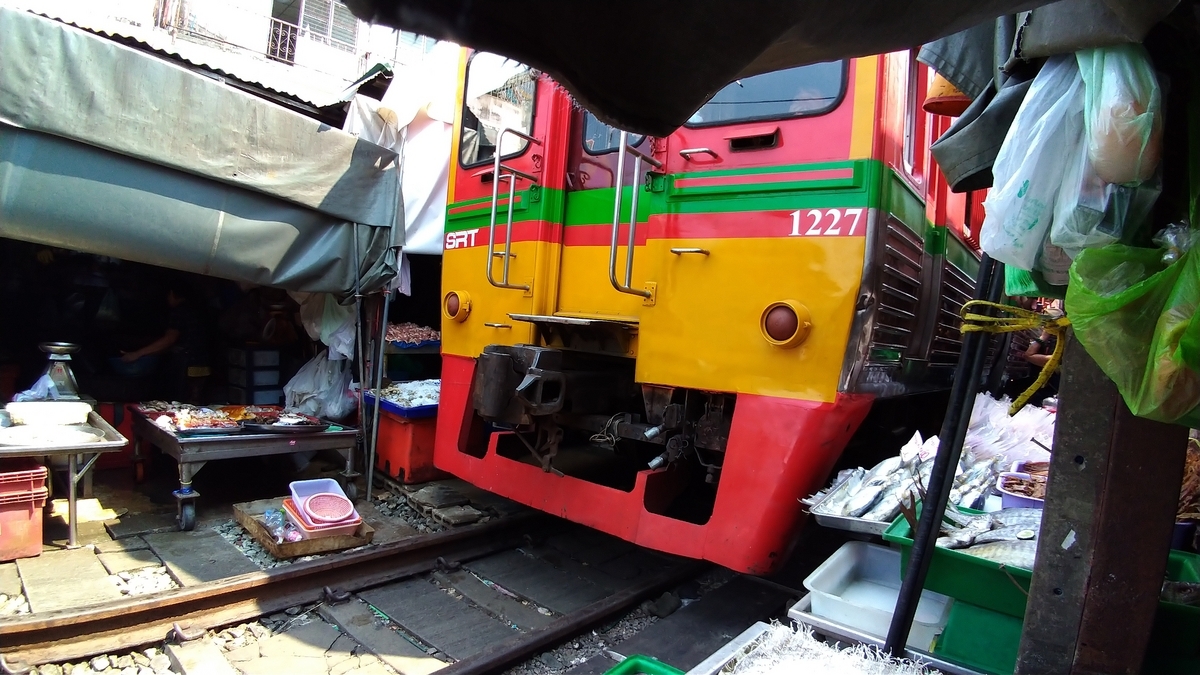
859,587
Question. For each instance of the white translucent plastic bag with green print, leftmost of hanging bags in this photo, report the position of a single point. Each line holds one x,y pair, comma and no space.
1030,166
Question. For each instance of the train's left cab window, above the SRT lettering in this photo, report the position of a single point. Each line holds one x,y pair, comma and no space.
500,94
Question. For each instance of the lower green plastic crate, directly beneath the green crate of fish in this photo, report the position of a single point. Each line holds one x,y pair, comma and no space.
981,640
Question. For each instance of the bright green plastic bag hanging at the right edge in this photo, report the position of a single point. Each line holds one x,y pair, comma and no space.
1136,316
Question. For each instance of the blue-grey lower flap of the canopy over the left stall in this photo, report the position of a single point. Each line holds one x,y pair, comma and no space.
71,195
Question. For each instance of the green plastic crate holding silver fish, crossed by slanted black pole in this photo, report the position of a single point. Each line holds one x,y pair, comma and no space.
982,583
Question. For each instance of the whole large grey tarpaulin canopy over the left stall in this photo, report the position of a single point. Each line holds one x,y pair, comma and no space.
110,151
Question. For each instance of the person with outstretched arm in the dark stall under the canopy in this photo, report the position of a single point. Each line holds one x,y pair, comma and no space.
187,343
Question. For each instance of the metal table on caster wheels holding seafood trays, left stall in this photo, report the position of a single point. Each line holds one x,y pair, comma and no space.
194,452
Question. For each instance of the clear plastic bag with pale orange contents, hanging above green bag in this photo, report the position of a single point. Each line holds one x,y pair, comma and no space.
1123,112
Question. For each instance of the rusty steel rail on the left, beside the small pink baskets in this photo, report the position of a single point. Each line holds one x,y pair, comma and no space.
112,628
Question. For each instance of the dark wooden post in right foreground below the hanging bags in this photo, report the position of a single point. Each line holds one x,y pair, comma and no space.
1106,531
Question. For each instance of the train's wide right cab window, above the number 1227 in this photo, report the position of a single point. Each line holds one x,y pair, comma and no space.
791,93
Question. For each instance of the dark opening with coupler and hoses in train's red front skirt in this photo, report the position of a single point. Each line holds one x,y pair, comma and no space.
583,415
